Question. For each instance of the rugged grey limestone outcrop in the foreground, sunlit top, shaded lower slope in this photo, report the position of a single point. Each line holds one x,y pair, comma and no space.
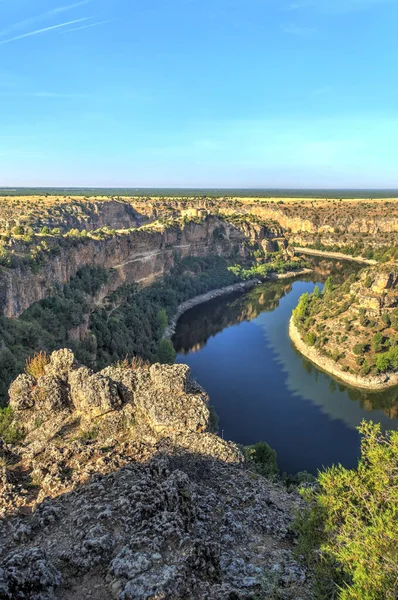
119,490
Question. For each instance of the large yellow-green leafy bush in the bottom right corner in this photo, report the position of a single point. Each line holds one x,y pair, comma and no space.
349,532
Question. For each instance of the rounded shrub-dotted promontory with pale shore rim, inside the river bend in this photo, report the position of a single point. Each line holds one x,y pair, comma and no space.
351,330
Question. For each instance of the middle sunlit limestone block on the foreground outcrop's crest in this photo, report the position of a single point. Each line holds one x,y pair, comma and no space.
92,392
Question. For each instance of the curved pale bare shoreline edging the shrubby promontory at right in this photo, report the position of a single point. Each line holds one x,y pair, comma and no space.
371,383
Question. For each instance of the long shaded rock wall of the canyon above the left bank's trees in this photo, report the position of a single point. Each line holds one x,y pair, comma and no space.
135,256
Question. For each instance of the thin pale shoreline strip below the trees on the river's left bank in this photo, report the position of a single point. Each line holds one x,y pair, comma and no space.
237,287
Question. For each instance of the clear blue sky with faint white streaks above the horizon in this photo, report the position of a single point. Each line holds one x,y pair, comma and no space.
231,93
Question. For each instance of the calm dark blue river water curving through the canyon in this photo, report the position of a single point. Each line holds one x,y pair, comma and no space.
262,389
